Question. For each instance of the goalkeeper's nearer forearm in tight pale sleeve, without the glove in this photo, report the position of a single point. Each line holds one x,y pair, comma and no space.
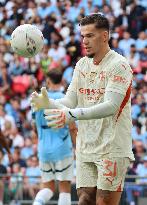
102,110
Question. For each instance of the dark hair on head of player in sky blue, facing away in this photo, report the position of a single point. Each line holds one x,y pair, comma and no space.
55,75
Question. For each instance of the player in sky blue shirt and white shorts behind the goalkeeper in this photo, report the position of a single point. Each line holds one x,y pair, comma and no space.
54,150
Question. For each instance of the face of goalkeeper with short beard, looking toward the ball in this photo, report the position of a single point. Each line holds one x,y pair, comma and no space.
93,39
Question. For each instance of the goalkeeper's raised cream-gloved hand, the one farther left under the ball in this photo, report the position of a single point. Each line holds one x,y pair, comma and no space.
40,101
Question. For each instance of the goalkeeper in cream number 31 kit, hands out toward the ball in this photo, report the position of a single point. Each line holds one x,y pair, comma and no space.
99,98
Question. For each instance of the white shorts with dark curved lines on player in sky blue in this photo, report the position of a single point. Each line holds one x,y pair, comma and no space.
60,170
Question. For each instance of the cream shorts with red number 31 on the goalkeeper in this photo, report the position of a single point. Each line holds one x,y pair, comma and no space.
106,174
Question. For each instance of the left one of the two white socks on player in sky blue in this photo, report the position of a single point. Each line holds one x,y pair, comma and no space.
43,196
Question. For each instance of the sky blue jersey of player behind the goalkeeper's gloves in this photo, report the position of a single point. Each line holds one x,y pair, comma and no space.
53,144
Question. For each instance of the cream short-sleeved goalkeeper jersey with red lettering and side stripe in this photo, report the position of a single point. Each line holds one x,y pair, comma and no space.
110,136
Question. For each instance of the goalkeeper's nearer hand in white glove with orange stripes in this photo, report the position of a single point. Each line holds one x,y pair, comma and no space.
58,118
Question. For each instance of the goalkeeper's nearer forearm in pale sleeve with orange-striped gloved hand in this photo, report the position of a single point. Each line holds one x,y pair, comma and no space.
57,118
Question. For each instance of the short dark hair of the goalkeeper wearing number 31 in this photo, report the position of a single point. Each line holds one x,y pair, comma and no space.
99,20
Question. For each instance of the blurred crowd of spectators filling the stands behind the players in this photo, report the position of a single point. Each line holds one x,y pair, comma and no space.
19,77
